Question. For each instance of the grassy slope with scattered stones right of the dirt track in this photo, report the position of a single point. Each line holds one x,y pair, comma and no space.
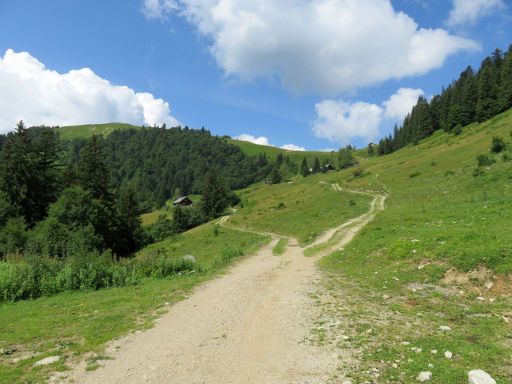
439,216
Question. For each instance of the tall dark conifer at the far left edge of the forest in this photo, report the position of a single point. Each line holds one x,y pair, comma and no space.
27,171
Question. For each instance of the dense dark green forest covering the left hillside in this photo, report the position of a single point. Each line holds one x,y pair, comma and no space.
61,198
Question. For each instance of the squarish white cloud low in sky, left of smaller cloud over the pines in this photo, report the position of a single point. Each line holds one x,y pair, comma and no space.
341,122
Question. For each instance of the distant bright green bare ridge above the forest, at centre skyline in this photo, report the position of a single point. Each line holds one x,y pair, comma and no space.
252,149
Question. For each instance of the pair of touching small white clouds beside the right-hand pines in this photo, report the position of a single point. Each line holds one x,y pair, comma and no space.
342,122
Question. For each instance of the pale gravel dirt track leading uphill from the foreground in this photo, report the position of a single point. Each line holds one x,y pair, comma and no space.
248,326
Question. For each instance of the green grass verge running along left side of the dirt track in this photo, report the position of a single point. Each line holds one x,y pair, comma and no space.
73,324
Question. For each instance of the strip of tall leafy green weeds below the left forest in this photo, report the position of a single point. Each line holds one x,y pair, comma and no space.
30,276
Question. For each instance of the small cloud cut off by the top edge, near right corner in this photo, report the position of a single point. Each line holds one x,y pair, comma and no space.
468,11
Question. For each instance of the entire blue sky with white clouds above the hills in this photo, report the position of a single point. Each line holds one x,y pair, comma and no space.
240,67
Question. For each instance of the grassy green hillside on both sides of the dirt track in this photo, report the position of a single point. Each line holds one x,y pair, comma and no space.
439,255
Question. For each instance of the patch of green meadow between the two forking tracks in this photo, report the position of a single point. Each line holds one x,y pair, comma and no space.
303,208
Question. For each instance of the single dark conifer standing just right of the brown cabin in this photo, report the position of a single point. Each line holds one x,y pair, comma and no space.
214,198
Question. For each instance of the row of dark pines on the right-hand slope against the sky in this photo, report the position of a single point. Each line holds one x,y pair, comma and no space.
473,97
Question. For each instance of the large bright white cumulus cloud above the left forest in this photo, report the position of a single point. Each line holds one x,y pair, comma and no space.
38,95
